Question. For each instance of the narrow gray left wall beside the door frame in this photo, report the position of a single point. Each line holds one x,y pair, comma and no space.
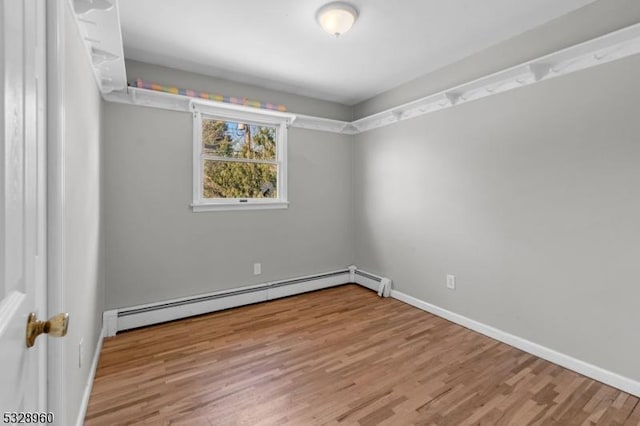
83,223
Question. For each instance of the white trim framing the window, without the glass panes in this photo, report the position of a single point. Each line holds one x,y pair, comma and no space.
231,112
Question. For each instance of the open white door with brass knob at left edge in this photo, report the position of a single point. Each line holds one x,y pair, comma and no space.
22,206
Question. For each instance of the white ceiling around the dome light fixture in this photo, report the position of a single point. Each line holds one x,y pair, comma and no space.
277,44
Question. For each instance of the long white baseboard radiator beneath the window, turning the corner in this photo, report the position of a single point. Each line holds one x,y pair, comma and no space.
156,313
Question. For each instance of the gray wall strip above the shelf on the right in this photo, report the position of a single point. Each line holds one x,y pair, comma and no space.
588,22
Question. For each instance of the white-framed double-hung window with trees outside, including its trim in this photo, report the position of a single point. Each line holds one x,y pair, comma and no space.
239,159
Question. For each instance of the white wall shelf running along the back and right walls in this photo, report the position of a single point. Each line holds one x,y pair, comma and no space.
610,47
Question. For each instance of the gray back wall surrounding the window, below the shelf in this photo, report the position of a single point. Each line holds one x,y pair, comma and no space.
158,249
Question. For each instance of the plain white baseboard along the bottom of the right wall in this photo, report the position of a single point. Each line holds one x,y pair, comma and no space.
600,374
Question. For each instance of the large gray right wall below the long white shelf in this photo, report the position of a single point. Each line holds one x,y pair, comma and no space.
531,198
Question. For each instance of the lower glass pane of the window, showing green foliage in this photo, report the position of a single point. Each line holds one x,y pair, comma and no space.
228,179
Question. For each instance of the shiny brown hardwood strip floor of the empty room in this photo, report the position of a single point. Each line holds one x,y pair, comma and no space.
337,356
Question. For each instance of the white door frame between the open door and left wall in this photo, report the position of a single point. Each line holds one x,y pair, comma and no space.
55,46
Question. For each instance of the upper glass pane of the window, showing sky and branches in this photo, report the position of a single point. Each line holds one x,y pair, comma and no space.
238,140
